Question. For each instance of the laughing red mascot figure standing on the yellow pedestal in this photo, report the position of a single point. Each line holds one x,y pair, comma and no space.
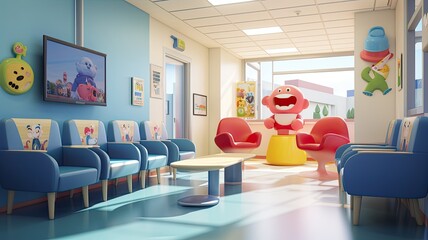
285,102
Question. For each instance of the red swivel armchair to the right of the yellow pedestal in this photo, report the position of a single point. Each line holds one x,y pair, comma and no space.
326,136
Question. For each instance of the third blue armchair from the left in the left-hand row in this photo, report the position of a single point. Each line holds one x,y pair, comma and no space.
154,154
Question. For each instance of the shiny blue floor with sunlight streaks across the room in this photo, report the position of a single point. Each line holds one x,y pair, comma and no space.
272,203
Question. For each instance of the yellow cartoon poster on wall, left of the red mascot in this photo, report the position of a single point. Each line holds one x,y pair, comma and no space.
245,99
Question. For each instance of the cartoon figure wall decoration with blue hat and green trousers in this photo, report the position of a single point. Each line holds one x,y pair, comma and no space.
376,50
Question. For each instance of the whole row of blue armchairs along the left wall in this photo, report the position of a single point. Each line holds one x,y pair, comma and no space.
35,157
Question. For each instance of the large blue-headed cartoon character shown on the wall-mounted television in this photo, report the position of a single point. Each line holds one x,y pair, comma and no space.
84,85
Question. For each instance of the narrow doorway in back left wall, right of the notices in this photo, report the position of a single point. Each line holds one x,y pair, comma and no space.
176,98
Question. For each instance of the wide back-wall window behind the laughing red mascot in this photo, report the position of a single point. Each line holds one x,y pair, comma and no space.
327,82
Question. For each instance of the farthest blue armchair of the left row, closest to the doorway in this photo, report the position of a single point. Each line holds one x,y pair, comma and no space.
178,148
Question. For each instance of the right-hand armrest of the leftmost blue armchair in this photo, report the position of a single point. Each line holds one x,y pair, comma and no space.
81,157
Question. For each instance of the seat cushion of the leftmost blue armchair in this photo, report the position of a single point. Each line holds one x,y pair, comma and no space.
74,177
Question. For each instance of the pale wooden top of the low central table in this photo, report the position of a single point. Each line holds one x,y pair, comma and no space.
212,162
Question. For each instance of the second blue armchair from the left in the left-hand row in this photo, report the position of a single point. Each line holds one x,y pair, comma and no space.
117,159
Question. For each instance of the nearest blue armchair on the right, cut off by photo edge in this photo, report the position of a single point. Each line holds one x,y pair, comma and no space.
391,174
